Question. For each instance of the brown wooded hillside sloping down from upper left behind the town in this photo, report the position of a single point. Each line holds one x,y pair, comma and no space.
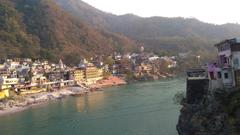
40,29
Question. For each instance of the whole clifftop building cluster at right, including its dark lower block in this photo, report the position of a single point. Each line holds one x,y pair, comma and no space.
223,74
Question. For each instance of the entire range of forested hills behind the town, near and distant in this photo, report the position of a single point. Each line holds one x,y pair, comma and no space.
71,29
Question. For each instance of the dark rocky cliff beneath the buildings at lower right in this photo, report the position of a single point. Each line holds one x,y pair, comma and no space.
210,117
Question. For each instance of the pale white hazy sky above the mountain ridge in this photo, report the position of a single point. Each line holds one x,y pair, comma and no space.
212,11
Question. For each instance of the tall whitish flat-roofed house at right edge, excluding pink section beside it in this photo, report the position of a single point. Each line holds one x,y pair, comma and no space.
229,62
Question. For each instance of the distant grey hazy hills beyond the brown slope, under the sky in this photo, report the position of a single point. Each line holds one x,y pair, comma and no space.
157,33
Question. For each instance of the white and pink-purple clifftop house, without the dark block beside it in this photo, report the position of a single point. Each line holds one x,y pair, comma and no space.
225,73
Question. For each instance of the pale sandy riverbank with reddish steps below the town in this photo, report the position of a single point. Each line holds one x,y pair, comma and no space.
22,102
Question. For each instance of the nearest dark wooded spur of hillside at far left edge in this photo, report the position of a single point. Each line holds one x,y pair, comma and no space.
14,39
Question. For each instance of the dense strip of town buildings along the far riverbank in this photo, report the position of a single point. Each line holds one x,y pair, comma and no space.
25,76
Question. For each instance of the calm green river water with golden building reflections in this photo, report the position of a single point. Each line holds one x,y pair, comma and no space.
136,109
